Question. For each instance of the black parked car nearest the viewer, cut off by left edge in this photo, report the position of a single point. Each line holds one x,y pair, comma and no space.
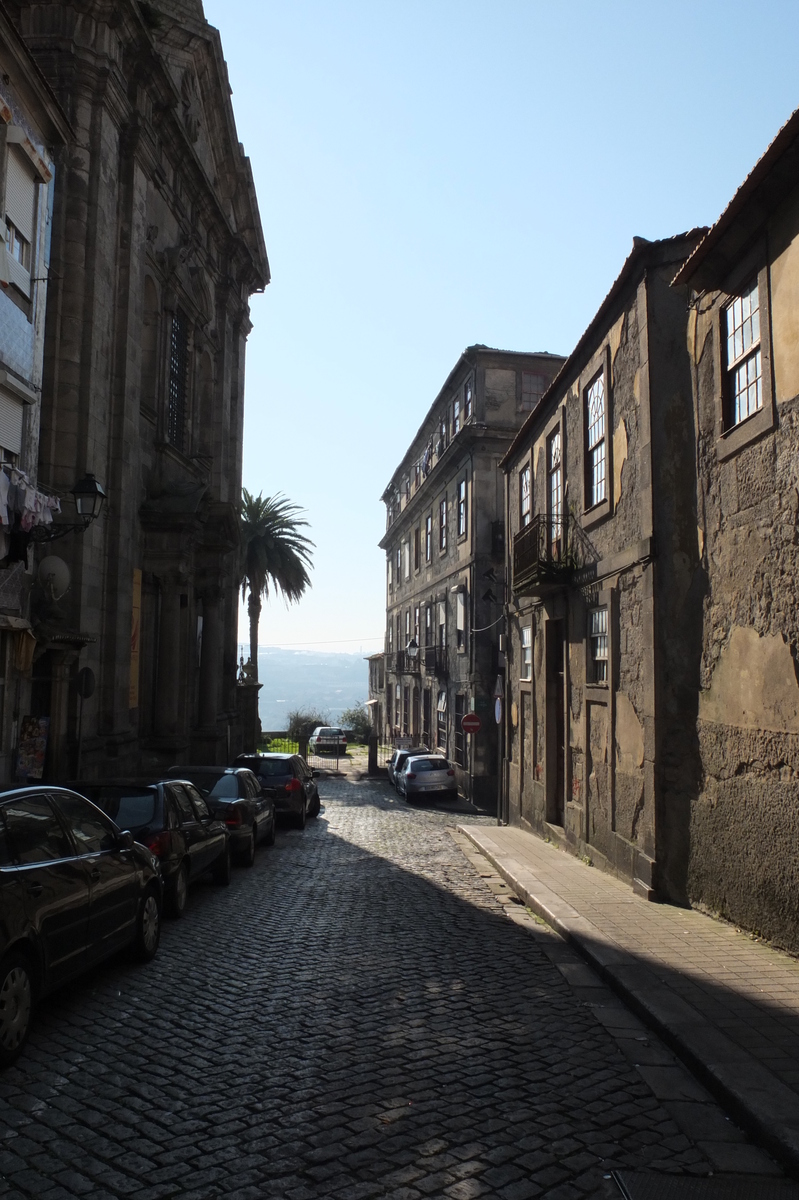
74,890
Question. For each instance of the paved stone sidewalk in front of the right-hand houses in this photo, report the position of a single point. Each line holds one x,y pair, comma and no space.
728,1005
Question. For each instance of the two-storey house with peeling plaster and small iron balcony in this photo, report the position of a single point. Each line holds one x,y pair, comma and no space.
599,506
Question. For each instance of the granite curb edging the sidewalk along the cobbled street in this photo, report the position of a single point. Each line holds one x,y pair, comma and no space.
754,1096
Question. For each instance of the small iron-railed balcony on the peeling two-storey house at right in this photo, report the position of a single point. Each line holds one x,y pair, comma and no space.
548,555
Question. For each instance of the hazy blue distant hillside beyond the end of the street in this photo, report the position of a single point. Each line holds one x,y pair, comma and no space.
303,679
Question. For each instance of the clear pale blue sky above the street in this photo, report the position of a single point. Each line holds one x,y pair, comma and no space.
440,173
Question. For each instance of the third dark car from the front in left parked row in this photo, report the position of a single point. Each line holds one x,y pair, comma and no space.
236,796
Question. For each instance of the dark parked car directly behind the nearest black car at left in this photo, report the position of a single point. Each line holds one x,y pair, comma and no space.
173,820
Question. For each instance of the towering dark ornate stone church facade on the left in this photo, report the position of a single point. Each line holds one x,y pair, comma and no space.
157,247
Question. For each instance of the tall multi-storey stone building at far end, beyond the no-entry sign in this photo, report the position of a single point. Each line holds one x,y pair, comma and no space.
446,563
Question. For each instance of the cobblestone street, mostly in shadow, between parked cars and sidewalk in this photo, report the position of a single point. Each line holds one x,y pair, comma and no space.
356,1017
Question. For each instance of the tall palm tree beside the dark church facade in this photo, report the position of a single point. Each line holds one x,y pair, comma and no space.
274,556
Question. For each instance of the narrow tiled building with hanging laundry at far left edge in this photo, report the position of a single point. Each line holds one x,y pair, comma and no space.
33,133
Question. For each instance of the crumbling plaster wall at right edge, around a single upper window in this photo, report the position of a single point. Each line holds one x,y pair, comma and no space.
746,819
